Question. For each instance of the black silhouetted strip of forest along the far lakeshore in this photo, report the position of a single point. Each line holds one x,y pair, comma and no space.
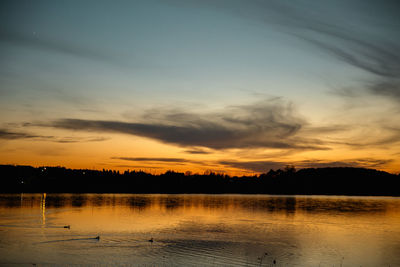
311,181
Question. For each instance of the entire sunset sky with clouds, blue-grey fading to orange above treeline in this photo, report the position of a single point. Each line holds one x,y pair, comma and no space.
230,86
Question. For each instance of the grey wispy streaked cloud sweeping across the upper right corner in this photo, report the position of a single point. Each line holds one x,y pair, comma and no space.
356,38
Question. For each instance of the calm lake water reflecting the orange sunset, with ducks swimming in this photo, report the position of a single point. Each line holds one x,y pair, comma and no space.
199,230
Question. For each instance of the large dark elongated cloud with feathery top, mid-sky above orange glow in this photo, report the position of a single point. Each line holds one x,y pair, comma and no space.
266,124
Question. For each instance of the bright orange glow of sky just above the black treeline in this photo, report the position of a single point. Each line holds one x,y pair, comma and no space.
115,152
